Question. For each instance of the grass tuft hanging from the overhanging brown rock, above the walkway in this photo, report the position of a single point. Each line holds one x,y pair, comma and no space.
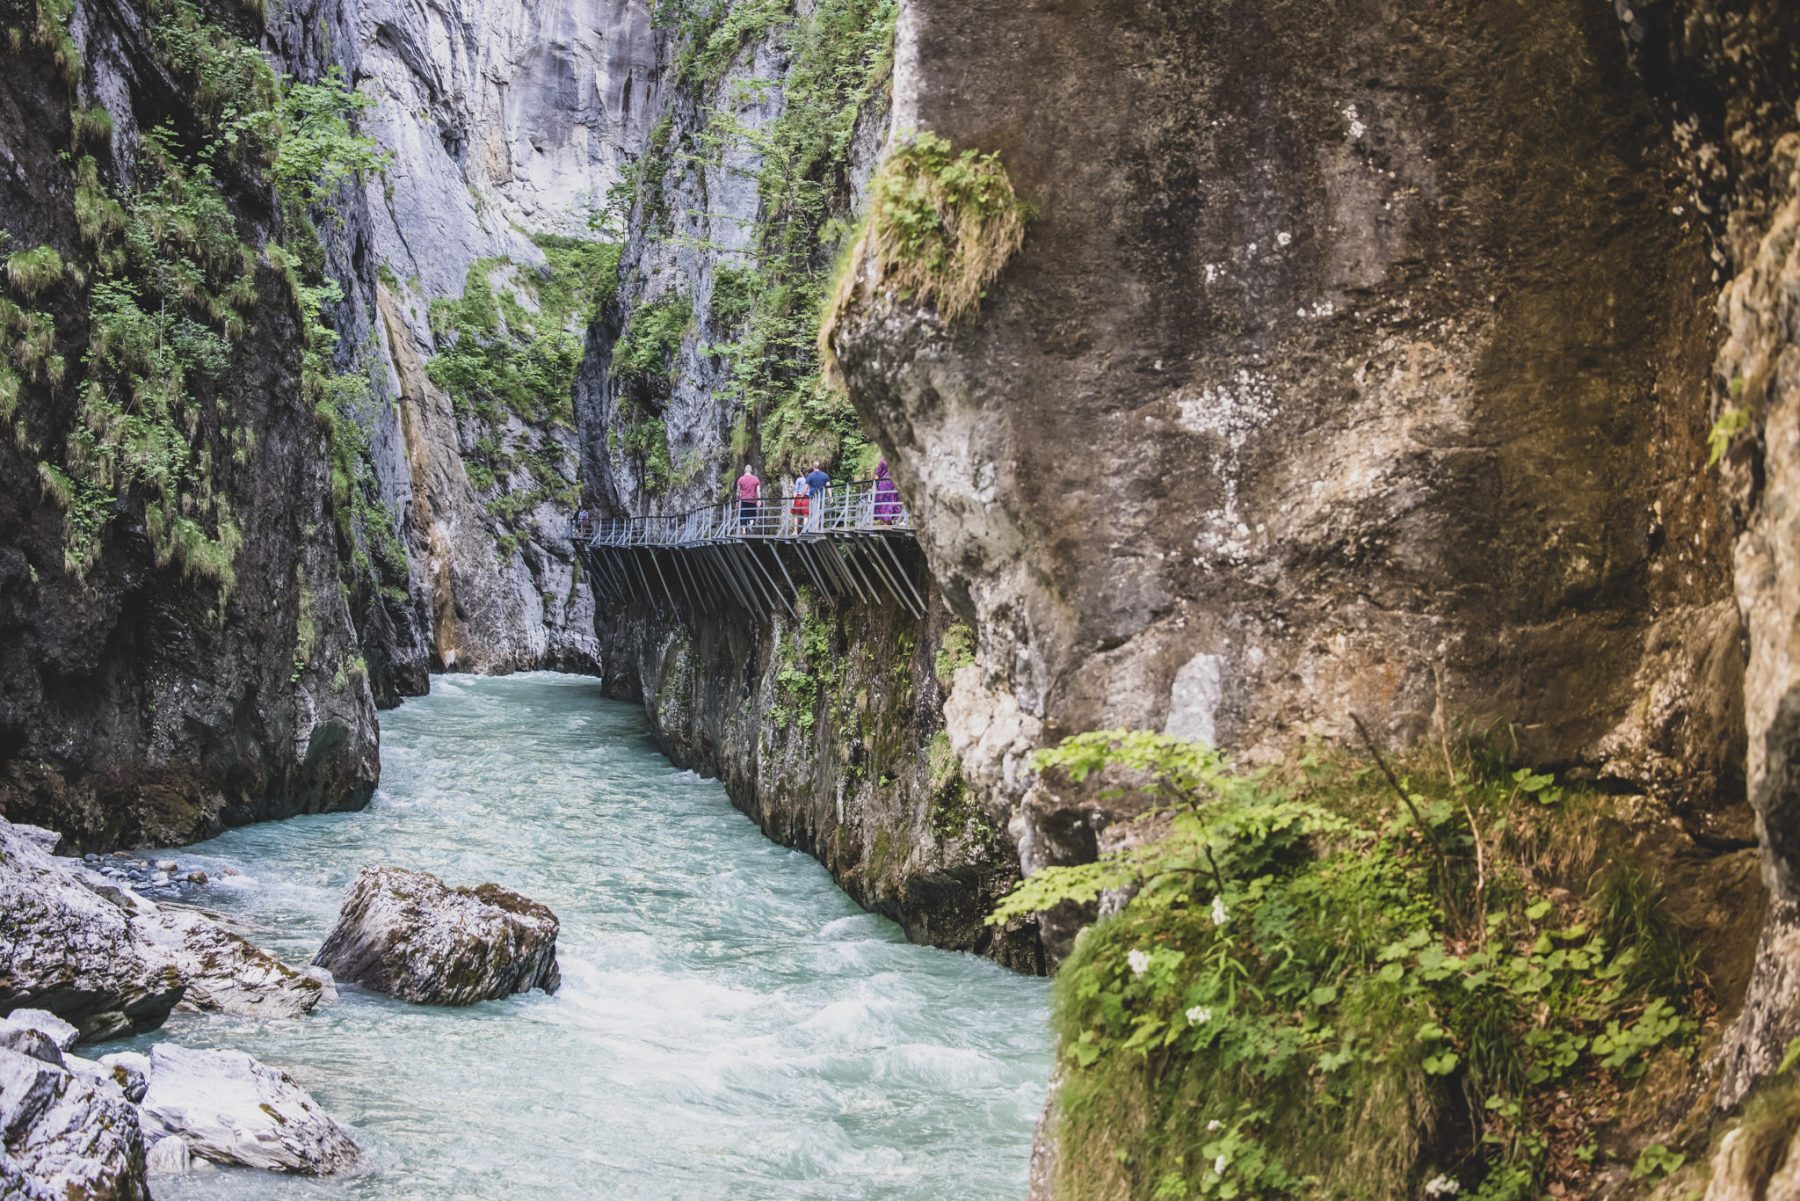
940,230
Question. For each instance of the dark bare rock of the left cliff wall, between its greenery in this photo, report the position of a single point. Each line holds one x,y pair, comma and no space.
150,700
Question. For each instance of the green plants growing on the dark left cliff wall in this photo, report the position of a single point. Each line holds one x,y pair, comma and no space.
172,289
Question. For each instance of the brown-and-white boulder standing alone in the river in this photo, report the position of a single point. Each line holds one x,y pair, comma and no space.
413,937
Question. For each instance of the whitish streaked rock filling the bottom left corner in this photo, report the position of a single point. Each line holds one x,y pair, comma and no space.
67,1137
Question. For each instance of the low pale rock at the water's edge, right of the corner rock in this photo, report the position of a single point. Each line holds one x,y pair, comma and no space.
231,1108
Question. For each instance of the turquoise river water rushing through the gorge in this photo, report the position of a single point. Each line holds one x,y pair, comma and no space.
730,1024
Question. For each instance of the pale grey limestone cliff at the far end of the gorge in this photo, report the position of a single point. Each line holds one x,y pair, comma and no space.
508,123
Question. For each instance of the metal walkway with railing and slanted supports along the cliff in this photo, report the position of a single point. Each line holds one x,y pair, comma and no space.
849,545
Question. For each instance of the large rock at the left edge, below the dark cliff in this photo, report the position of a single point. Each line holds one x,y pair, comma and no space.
67,950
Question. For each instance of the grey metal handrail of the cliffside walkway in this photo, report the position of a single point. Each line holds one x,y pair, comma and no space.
852,507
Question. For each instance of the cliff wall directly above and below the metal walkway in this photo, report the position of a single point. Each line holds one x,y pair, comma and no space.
827,727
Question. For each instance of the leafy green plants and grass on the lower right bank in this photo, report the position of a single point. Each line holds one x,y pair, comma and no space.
1331,984
